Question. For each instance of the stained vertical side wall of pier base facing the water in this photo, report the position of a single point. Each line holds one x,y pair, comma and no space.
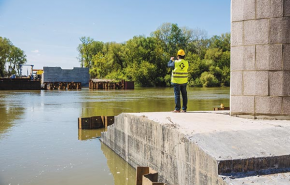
143,142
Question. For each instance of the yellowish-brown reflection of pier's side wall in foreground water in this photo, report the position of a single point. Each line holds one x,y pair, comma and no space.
123,173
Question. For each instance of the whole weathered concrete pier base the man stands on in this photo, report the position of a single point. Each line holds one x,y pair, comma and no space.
202,147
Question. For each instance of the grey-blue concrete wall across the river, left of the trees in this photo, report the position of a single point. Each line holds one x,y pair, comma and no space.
56,74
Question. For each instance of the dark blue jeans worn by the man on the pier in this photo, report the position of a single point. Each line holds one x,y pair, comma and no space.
177,89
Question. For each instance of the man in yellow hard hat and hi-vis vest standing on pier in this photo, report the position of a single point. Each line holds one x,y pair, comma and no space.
179,80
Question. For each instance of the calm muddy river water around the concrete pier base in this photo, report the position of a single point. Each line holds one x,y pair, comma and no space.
41,144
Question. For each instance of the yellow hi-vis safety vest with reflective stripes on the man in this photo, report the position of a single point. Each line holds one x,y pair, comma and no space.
180,74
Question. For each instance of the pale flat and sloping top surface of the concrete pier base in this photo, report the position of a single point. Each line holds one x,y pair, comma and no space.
226,137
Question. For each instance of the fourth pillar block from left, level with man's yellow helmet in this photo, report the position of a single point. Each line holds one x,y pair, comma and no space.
275,57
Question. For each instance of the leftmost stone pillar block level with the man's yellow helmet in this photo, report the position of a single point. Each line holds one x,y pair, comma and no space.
237,58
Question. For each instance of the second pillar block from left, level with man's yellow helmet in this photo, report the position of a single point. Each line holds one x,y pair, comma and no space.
249,58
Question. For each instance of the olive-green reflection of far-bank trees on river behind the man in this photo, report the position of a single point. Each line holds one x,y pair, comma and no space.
112,103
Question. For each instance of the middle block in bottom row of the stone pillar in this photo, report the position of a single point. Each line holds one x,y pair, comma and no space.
268,105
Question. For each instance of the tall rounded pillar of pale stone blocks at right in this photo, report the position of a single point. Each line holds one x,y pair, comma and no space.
260,58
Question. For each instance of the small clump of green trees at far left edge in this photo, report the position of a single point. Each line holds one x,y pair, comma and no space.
11,56
